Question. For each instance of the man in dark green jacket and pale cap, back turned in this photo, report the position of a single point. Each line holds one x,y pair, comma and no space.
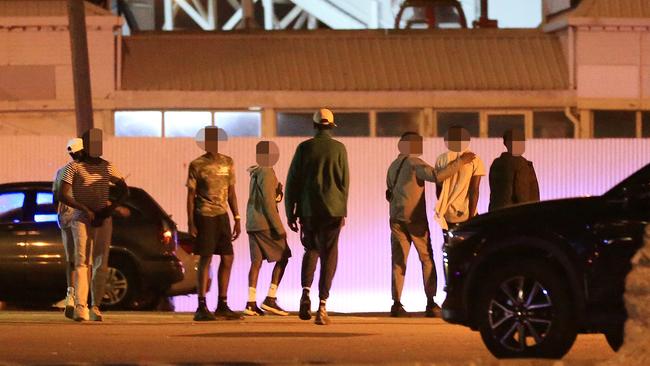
317,194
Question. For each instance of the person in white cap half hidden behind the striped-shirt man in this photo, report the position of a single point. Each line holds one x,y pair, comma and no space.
64,219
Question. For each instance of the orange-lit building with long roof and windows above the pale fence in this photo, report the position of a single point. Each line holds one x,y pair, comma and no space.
584,73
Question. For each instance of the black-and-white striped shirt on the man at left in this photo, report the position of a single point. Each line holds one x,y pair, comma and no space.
90,183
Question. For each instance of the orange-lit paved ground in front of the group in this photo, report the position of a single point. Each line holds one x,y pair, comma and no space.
172,338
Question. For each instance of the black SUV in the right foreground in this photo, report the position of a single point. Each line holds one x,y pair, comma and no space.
531,277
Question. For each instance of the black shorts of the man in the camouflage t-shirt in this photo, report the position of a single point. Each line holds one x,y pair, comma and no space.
214,235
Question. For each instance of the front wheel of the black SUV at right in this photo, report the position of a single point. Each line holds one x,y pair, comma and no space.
524,310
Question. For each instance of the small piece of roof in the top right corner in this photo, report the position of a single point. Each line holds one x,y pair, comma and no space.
613,9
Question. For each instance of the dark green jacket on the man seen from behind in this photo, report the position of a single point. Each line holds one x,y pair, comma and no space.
319,179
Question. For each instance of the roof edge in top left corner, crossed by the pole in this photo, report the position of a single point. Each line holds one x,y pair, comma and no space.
43,8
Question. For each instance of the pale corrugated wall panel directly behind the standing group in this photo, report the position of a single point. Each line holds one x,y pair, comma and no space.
565,168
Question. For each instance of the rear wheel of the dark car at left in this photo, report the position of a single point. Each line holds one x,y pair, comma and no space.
121,286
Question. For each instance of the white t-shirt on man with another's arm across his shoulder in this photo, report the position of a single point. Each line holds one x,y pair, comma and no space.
453,203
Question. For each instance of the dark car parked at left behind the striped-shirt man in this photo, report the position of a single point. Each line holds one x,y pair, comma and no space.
142,261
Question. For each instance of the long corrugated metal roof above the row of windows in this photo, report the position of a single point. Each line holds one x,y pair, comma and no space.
486,59
